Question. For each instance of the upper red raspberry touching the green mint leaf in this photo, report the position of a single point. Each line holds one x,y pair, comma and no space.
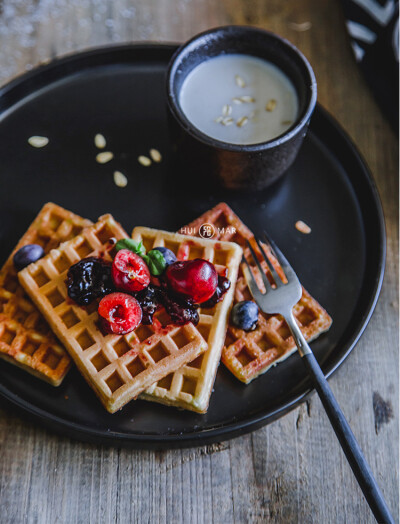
129,271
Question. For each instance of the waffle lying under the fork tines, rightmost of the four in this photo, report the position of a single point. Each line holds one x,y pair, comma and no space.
249,354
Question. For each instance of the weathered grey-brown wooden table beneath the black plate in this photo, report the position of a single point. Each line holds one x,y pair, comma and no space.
292,470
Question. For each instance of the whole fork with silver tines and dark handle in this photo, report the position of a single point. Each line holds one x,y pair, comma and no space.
281,299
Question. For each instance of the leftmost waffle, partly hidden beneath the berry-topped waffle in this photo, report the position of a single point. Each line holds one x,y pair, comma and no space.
25,339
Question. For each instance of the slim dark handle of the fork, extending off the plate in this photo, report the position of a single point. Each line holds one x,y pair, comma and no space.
343,431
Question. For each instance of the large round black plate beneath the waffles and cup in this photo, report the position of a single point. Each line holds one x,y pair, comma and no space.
120,92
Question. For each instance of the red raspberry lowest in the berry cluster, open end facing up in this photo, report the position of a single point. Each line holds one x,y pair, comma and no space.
121,313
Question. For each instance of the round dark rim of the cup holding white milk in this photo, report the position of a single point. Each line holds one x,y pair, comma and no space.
191,129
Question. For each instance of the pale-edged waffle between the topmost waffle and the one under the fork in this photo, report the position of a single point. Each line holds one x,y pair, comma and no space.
190,387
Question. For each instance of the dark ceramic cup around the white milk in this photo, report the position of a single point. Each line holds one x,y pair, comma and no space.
253,166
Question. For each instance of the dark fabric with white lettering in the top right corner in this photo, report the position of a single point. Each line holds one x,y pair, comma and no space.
373,27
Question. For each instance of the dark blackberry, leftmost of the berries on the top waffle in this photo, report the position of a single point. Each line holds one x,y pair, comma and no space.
88,279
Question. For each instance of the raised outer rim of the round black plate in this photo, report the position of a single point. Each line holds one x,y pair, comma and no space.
231,429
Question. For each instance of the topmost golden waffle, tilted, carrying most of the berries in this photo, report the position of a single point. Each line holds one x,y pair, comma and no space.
117,367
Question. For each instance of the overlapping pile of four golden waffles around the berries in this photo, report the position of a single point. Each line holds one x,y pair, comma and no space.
162,362
